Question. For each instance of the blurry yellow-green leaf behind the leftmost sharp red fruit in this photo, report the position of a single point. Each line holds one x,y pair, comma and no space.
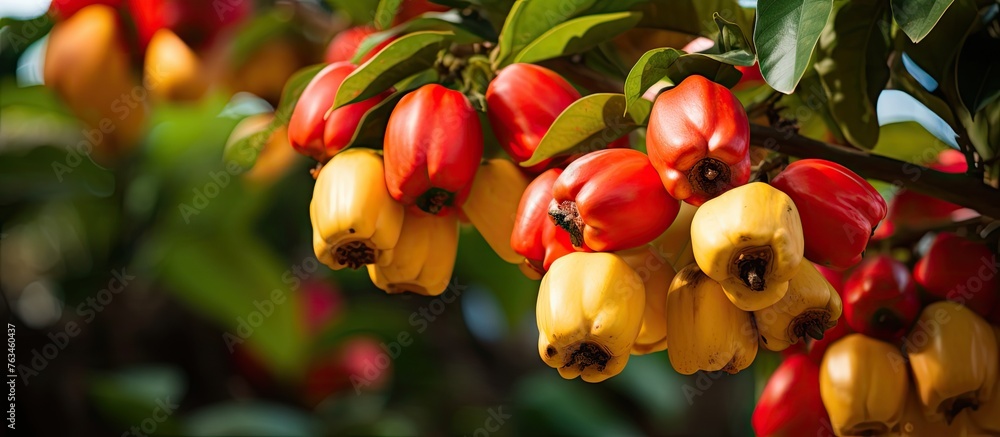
245,151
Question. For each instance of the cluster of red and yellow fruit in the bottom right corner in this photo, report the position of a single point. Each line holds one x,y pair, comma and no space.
914,355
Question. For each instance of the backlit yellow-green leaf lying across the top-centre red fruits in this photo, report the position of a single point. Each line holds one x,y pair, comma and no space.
588,124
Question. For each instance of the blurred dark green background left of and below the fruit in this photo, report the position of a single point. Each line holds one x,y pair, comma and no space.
163,296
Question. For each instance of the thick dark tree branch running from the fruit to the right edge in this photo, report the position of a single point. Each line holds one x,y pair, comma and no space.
952,187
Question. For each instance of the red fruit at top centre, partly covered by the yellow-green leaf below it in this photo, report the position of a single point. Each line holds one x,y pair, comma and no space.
524,100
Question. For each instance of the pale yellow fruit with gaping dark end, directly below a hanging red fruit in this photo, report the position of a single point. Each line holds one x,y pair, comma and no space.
749,239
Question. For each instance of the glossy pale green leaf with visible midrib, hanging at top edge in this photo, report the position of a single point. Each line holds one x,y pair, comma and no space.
785,35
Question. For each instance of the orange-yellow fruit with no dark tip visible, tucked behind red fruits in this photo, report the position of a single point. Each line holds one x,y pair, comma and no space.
492,205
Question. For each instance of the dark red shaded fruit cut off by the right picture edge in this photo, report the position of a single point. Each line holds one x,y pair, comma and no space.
959,270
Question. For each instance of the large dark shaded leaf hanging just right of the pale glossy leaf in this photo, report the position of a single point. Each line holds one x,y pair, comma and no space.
852,81
